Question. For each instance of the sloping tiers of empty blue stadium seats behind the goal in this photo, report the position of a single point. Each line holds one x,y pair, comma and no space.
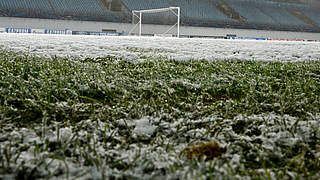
257,14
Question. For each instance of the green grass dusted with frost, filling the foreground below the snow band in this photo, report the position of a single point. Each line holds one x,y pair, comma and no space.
77,118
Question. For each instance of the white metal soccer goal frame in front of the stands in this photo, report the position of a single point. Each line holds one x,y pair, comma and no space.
139,15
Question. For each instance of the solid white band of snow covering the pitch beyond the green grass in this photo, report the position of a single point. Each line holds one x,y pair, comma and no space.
171,48
